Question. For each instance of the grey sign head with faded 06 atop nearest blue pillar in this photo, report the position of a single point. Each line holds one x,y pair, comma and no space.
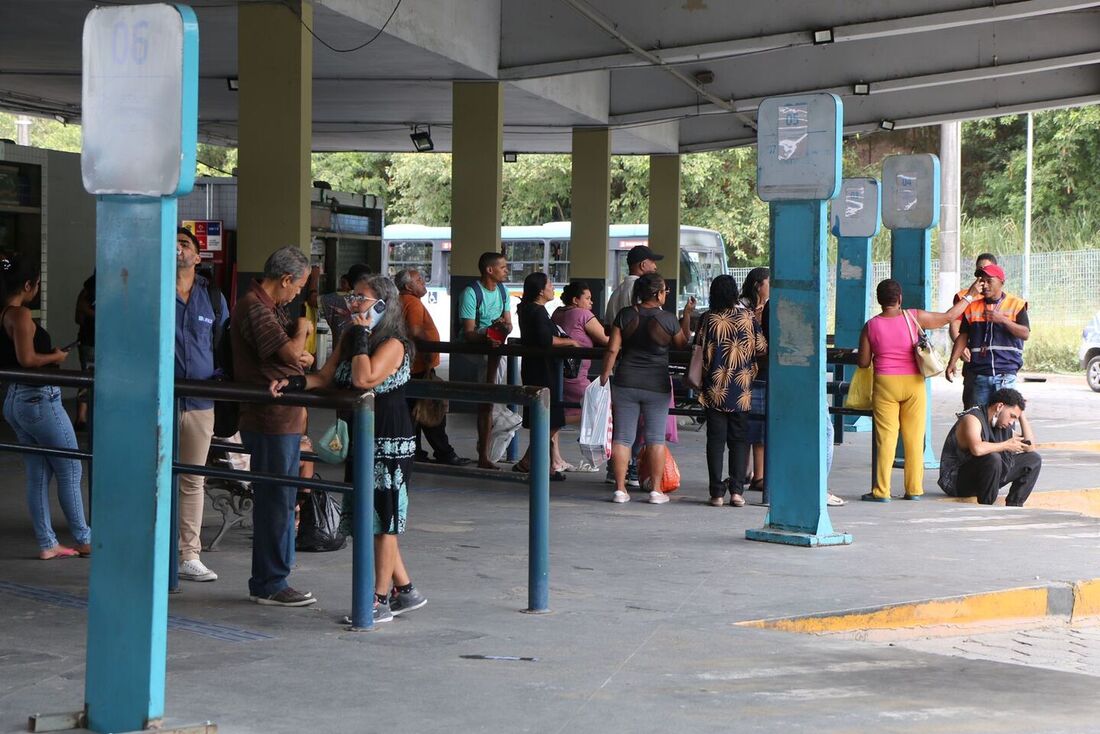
139,98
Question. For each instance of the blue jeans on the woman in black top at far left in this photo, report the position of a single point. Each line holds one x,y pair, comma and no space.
37,415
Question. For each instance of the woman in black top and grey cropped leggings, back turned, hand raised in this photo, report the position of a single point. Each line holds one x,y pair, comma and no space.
642,336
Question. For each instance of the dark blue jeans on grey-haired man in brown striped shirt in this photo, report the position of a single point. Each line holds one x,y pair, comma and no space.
272,510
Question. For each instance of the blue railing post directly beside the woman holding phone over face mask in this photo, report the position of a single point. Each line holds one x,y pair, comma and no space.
362,561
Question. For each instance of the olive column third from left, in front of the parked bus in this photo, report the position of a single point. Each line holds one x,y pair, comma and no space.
591,203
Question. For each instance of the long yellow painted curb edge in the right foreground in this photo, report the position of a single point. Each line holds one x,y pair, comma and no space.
1022,604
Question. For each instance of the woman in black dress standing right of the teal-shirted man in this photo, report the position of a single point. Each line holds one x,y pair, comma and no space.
536,330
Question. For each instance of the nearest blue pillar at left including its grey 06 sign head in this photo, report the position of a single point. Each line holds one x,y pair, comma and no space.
140,93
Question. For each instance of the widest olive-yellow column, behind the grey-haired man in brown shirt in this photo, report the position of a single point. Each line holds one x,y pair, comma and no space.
276,68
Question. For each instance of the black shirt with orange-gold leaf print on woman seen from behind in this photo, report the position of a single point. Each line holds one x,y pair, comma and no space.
732,343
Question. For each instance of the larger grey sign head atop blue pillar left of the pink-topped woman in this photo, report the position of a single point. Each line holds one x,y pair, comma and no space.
799,148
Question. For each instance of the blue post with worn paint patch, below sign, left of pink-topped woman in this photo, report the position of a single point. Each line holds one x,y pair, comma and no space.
796,457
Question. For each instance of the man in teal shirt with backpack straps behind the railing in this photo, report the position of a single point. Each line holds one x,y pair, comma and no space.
487,319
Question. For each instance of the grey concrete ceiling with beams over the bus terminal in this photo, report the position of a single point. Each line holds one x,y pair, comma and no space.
628,64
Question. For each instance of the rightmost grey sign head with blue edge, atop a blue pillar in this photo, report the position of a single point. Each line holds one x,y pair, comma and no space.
911,192
